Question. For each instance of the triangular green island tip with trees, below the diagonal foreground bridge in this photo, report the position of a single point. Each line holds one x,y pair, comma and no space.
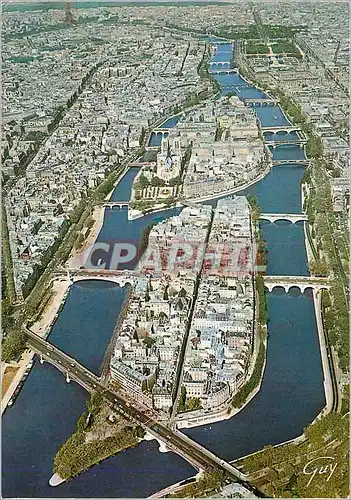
88,445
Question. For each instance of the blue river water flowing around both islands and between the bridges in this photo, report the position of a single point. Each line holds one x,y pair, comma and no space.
46,410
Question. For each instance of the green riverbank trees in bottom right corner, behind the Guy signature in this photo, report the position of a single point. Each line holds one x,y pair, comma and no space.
278,471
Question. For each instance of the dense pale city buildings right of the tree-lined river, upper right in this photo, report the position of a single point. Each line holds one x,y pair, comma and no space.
319,82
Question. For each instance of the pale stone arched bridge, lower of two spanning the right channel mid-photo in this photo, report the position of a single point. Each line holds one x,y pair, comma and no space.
300,282
